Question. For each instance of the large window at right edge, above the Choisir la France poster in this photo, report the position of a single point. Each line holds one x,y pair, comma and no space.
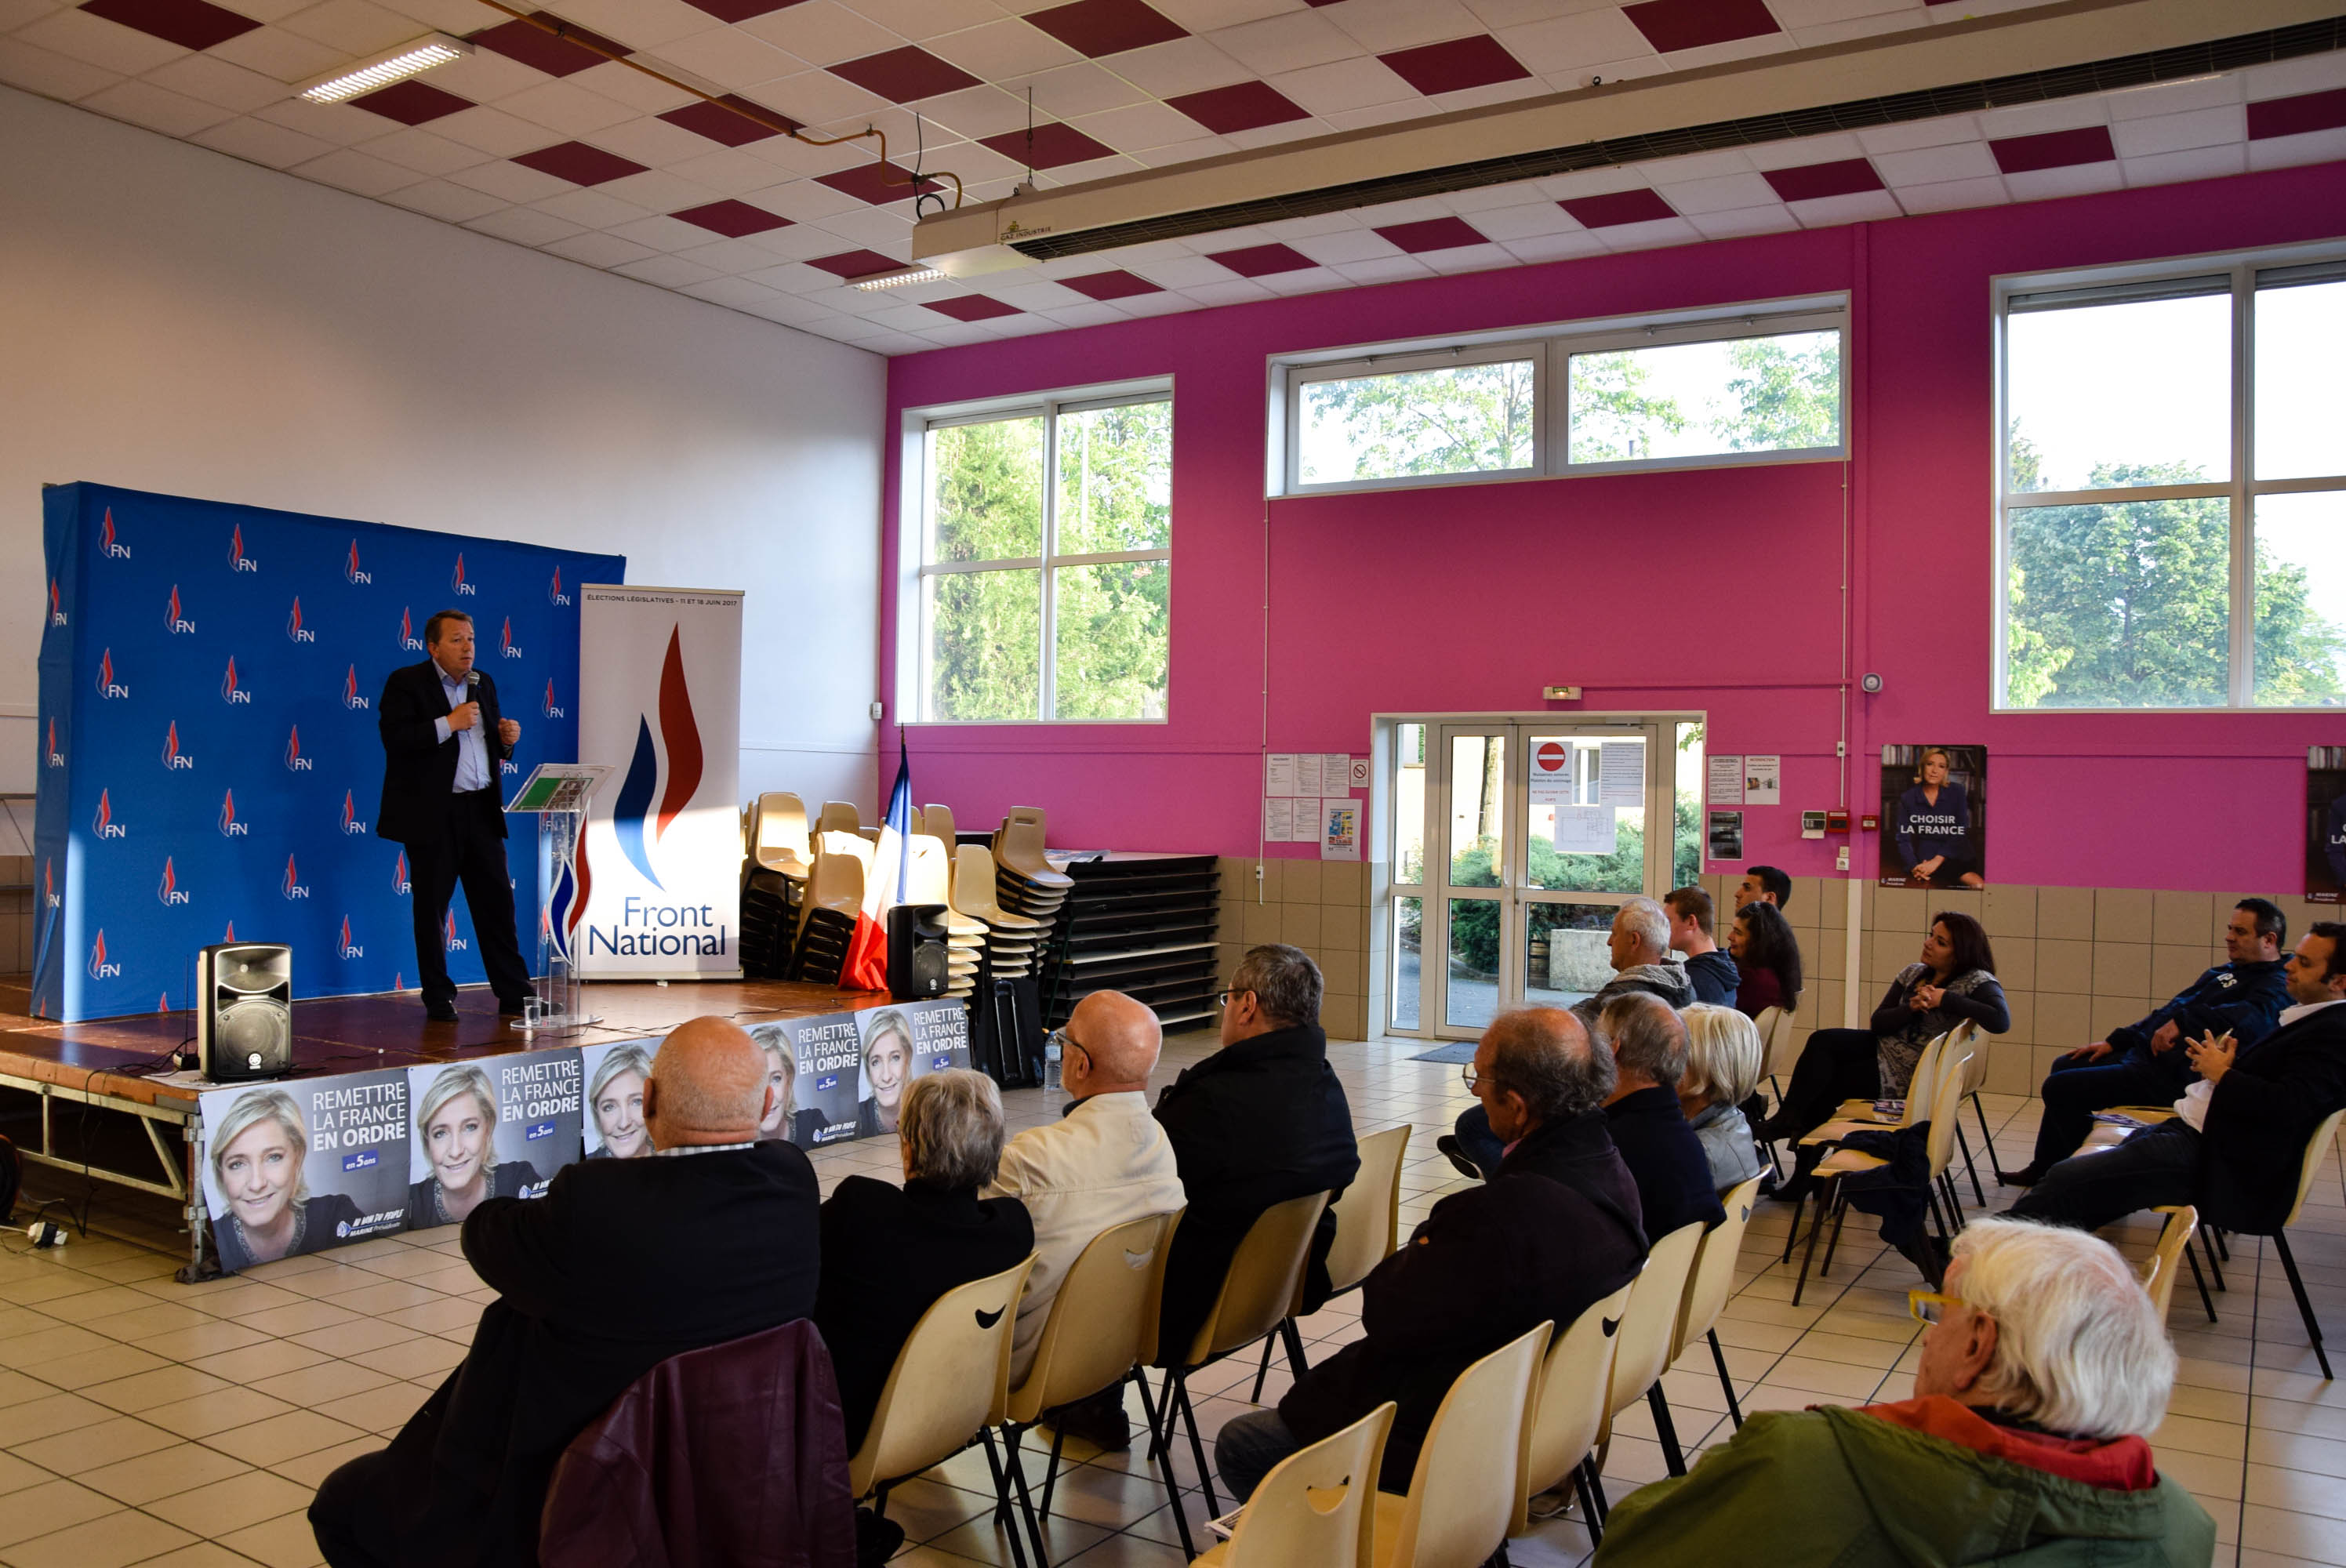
2176,492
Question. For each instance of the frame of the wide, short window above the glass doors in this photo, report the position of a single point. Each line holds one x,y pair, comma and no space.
1550,349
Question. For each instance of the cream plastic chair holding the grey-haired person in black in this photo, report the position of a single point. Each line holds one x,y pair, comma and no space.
951,1384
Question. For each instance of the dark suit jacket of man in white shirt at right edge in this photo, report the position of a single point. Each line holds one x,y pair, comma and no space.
2260,1116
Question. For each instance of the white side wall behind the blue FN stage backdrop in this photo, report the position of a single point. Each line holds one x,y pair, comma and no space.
177,320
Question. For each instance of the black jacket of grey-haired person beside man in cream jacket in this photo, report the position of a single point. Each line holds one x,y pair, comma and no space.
888,1257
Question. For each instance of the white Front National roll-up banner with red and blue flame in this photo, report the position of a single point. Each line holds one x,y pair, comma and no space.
660,703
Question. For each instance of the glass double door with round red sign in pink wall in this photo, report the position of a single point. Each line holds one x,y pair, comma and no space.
1538,834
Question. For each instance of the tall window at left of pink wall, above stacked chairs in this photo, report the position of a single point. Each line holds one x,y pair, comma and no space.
1045,567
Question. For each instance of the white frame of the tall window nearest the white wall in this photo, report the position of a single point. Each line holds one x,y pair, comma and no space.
918,536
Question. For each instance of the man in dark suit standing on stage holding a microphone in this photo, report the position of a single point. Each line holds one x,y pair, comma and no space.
442,743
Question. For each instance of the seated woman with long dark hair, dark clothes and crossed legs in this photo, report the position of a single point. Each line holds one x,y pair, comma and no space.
1953,985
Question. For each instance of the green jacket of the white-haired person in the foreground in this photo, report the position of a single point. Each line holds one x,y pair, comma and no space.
1838,1487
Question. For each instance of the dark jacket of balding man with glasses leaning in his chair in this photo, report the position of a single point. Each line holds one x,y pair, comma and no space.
1554,1234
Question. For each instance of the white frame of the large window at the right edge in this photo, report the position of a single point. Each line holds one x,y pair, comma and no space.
2242,489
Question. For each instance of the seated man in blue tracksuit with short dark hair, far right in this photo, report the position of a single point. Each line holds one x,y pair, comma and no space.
2143,1065
